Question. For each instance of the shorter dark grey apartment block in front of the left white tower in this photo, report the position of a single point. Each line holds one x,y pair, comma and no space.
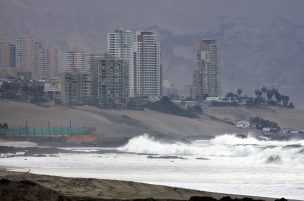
110,81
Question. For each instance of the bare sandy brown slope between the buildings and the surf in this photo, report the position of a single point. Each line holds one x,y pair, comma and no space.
124,124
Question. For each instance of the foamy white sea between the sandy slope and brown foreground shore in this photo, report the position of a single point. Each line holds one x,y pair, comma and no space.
226,164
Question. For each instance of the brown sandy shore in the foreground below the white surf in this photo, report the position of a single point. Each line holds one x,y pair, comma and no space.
103,189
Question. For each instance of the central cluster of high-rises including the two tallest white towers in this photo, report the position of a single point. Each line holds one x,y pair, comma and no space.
131,68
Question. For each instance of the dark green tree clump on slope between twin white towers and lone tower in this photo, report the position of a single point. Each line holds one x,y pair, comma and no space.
165,105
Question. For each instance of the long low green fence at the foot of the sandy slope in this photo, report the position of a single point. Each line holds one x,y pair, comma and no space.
51,131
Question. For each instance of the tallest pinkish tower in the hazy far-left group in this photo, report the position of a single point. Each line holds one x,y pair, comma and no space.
25,54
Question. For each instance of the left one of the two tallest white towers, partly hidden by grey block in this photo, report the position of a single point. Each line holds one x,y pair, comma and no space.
120,45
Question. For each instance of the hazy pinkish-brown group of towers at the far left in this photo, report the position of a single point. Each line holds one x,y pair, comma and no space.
29,58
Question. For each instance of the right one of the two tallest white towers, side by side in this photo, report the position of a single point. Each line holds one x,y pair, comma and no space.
147,65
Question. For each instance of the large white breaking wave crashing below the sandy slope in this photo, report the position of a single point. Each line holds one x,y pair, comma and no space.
227,145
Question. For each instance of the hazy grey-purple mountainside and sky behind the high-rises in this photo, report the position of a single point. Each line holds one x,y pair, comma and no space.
261,42
